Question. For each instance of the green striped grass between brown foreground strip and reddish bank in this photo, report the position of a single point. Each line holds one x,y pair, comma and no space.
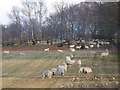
38,61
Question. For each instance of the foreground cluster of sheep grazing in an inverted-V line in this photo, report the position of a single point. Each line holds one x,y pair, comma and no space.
61,69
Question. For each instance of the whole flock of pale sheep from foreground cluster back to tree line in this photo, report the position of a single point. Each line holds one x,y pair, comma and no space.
61,69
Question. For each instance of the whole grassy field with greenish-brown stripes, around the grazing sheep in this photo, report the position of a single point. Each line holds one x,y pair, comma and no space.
24,71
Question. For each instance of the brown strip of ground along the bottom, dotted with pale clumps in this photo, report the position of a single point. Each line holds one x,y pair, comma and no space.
11,82
